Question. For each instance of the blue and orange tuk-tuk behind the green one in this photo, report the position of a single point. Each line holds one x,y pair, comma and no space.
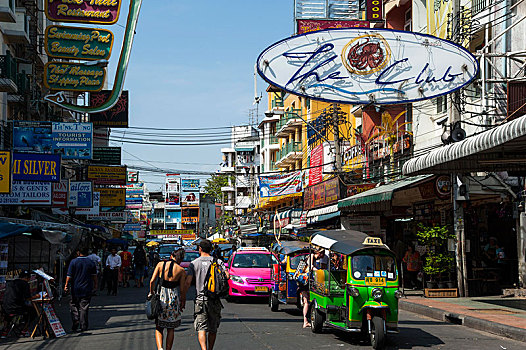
284,286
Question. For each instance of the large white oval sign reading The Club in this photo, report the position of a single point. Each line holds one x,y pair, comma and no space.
360,66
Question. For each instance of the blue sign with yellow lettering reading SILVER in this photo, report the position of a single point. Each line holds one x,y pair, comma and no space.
36,167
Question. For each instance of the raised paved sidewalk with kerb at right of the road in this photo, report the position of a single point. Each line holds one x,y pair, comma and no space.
502,316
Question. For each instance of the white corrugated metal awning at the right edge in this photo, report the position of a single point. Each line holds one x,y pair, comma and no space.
493,150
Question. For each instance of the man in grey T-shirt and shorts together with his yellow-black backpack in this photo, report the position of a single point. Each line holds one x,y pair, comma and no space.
210,279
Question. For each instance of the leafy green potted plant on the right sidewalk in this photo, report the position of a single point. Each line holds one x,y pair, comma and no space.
437,259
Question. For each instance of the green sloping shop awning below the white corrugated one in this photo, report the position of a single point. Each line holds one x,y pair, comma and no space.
381,193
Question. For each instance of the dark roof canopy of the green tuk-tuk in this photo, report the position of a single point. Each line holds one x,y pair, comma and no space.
342,241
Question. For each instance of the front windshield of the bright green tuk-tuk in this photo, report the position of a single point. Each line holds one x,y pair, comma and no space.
373,266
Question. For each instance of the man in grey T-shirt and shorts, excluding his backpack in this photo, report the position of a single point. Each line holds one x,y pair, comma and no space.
207,312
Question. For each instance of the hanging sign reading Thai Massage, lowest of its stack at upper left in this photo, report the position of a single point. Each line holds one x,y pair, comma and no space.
67,76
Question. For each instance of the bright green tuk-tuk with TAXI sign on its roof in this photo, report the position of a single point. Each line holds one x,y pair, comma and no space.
358,291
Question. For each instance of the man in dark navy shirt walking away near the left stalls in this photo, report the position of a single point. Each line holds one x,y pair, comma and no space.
82,281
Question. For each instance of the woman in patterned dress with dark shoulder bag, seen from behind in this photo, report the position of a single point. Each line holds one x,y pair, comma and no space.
172,296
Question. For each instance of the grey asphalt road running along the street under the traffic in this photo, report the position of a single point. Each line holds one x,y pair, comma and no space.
119,323
